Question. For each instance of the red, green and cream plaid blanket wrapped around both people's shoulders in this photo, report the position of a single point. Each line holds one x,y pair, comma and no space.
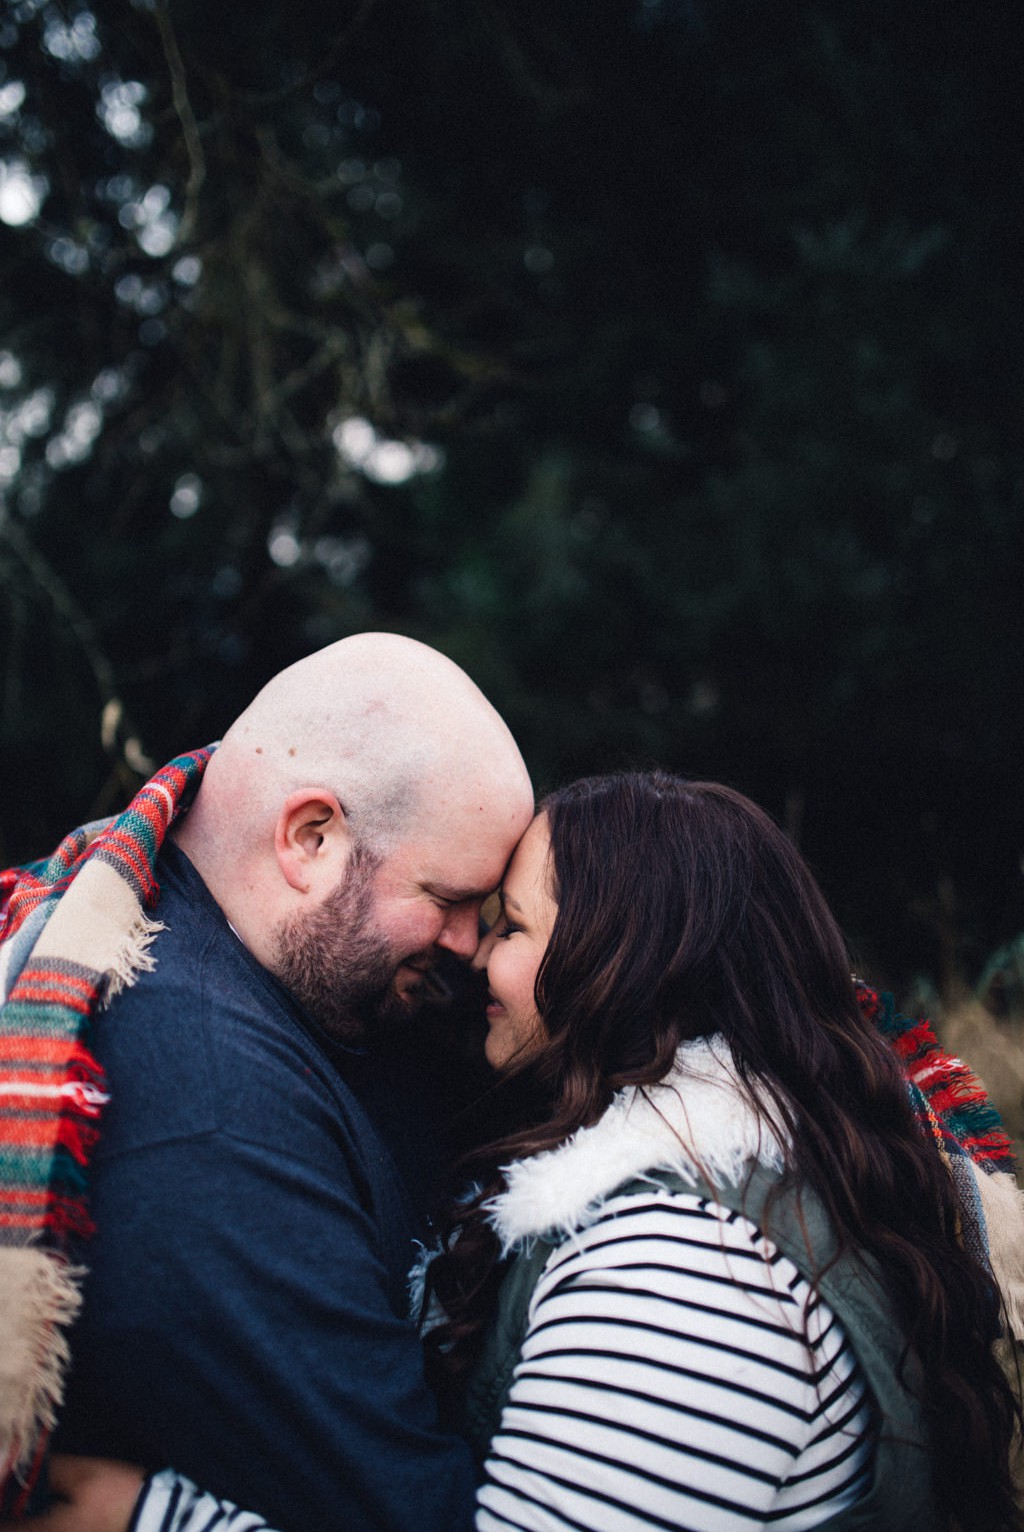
74,931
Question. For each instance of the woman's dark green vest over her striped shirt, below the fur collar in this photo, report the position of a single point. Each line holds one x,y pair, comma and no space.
899,1499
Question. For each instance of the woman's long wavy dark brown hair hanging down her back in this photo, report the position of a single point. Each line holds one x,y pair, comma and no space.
683,912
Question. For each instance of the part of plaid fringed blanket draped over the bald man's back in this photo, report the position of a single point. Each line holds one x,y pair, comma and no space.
73,932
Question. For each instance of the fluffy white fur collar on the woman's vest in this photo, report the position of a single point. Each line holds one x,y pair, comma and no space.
695,1121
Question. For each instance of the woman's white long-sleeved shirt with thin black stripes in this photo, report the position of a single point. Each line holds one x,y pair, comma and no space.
677,1375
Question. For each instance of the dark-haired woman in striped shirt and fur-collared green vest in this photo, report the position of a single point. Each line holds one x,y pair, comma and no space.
718,1275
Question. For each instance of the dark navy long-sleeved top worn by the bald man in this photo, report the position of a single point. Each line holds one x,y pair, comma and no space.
246,1306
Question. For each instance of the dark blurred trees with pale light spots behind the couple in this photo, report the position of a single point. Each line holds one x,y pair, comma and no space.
660,361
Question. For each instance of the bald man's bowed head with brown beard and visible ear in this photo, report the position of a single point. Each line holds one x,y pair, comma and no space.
355,817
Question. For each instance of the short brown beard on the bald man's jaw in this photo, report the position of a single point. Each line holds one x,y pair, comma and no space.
338,964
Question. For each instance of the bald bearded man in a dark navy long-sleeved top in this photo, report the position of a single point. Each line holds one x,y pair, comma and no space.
257,1191
